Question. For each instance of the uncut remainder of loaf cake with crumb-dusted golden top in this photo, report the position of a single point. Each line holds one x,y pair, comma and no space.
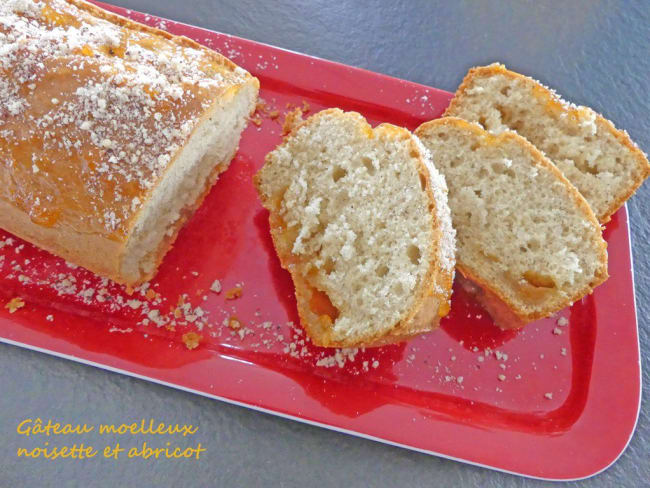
111,133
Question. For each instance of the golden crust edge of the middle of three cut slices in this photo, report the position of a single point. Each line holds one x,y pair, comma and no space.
491,291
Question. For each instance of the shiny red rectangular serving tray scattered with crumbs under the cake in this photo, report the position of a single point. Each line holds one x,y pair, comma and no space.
432,394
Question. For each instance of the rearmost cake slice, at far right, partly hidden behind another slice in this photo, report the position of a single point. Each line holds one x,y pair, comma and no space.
601,161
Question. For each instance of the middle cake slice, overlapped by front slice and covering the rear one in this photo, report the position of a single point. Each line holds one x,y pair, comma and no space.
525,235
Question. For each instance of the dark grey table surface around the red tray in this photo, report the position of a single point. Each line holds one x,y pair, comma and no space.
595,52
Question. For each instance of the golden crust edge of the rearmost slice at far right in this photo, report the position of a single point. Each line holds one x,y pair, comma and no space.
551,99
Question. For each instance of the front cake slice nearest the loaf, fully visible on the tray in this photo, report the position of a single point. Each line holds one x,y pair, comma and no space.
359,218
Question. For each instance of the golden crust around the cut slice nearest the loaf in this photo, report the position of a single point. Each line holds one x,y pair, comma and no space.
423,316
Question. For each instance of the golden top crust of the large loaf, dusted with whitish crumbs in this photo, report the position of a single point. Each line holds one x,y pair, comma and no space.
88,97
